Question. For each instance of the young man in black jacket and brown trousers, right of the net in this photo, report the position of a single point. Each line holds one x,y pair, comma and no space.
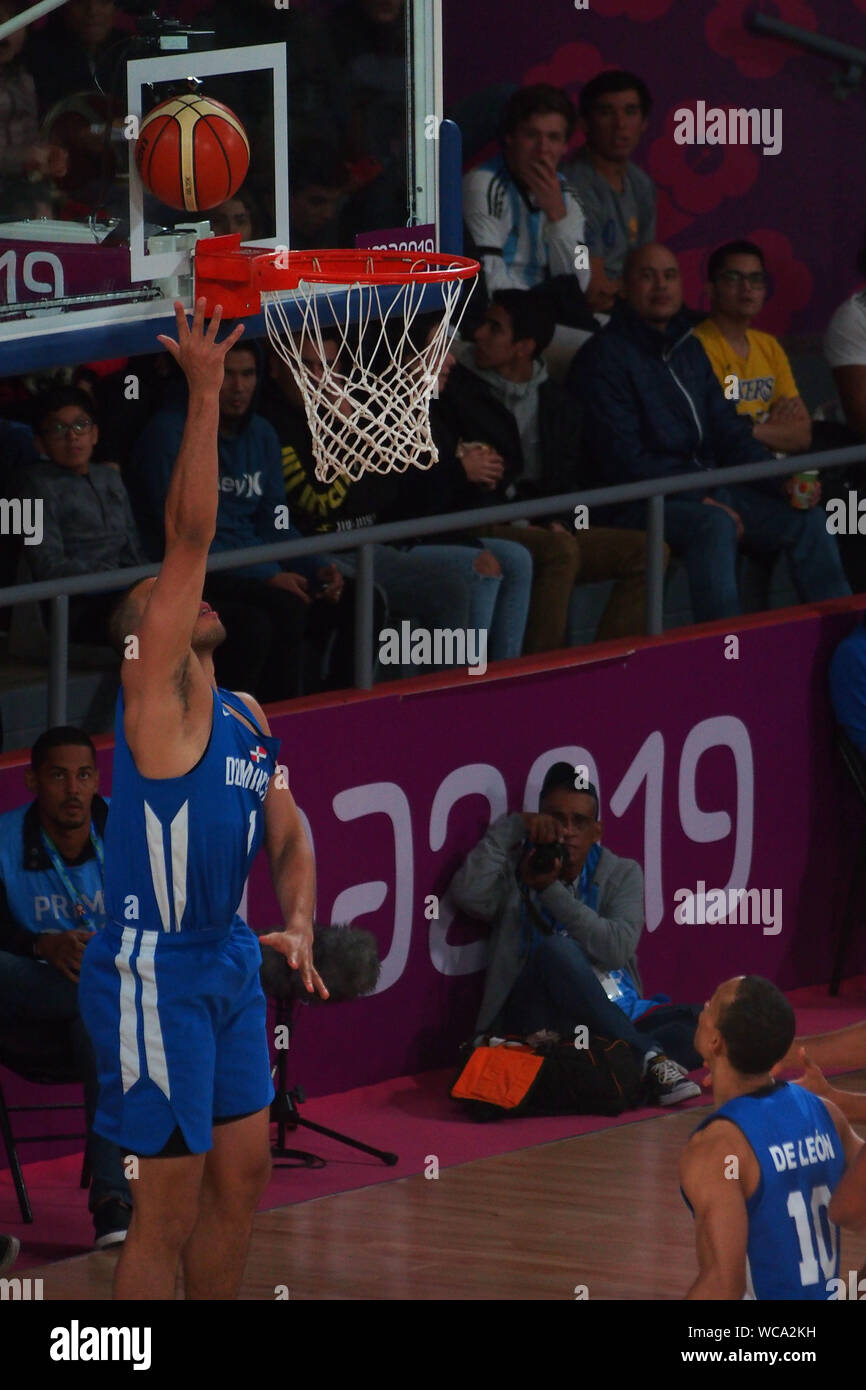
503,395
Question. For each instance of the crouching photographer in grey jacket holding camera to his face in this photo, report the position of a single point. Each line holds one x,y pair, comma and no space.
564,942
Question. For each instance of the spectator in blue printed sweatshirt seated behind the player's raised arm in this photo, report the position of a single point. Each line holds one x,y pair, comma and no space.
312,597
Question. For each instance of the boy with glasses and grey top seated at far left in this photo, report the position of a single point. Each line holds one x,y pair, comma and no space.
88,525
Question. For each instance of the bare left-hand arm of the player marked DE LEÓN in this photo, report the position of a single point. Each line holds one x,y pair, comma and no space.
710,1170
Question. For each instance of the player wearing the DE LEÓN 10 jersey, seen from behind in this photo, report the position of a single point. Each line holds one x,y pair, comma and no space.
761,1171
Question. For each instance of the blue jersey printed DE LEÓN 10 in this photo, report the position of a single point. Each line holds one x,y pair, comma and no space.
793,1249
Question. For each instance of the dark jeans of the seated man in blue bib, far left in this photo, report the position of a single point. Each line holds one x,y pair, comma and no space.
33,990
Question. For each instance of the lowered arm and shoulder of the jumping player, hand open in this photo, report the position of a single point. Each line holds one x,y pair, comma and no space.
293,874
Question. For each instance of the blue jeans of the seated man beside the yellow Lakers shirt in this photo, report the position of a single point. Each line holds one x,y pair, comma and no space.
705,537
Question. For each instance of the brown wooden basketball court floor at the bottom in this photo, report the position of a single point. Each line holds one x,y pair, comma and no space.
600,1213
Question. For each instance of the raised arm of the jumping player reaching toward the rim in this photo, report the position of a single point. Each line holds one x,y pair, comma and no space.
191,508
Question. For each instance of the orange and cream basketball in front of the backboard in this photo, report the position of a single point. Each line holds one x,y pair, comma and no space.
193,154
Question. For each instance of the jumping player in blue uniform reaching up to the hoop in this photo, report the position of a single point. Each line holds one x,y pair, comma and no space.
170,989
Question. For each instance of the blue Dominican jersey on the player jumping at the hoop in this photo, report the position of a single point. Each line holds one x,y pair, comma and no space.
179,850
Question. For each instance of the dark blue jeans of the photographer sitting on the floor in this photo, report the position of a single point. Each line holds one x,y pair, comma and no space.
559,990
